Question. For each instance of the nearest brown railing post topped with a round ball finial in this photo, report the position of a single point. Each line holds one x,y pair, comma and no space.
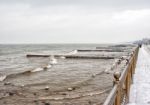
118,95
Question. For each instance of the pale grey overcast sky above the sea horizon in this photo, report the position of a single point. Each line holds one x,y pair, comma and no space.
73,21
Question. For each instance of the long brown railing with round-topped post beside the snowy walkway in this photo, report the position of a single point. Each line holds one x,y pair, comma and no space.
122,82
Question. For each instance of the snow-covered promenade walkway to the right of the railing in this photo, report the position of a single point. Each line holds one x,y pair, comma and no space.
140,89
